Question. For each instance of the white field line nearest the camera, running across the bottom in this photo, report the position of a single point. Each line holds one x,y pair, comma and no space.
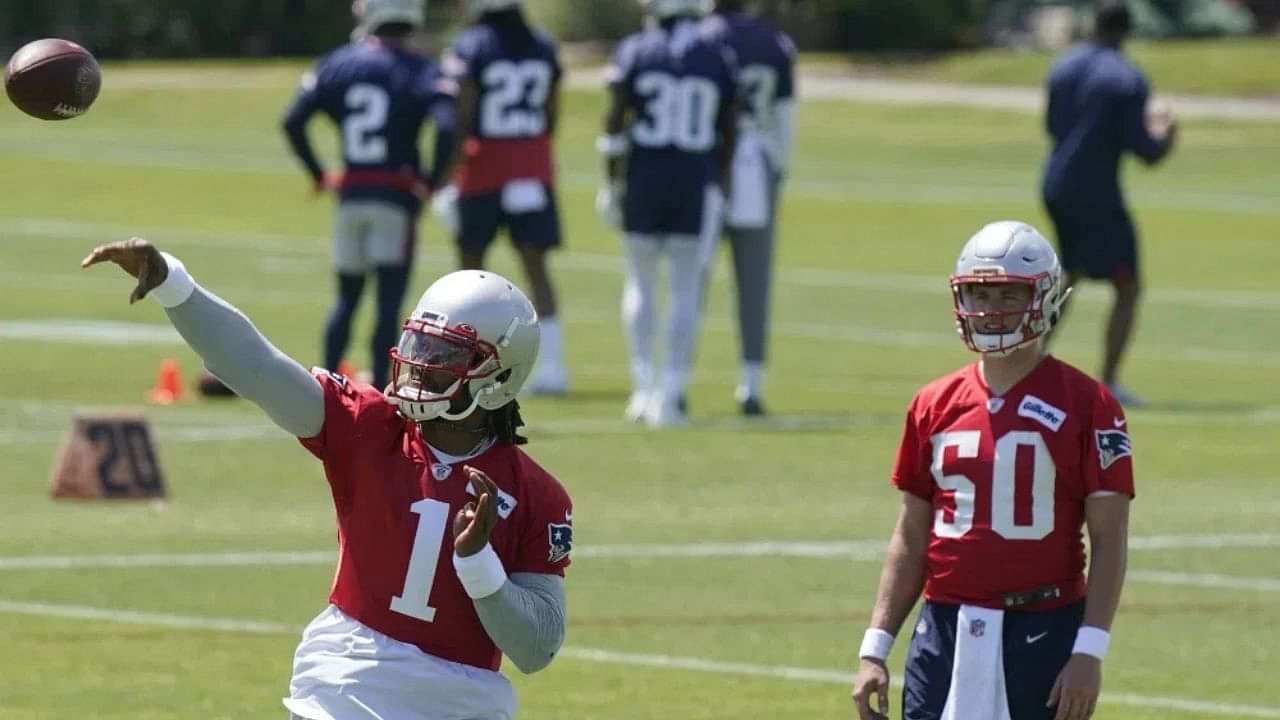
592,655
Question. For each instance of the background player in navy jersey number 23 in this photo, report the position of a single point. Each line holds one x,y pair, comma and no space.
509,98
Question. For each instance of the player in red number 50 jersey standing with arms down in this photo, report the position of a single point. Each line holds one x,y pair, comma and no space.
1002,464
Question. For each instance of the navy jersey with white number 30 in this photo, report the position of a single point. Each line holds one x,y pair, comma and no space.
675,81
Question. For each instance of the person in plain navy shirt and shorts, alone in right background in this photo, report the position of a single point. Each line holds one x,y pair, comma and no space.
1098,112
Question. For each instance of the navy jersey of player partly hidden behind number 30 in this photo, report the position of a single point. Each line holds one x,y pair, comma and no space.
767,66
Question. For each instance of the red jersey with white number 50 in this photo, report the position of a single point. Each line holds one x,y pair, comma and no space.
1008,479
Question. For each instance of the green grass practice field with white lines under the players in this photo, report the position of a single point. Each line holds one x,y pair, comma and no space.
880,203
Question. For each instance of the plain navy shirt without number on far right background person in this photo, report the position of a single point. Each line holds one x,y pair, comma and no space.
1098,103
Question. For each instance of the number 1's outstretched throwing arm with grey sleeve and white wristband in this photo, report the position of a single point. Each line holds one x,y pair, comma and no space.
225,339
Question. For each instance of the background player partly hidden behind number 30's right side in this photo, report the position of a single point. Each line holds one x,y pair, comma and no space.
767,86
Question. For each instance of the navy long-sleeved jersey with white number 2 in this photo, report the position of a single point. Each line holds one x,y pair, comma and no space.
380,97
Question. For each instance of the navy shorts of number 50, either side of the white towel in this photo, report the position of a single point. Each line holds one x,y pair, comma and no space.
1037,646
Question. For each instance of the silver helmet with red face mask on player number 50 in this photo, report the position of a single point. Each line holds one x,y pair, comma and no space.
1009,253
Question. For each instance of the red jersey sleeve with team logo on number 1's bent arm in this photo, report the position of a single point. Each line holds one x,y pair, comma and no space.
547,531
